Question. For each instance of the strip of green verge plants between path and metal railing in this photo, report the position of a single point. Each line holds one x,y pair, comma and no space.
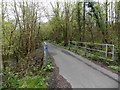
94,56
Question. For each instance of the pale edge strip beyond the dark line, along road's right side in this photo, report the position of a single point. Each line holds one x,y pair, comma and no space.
103,70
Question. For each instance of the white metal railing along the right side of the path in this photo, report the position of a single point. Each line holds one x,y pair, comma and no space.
70,43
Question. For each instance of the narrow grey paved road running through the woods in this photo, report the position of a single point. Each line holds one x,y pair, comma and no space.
80,72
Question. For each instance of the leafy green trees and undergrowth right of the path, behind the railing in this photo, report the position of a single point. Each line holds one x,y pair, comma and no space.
87,22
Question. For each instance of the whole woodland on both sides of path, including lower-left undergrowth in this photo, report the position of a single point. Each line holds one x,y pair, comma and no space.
22,35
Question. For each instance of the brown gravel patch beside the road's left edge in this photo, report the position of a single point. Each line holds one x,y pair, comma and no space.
57,81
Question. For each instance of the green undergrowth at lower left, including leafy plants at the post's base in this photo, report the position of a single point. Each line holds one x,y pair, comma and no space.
30,80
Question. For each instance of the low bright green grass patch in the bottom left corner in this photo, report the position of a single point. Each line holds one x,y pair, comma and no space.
13,81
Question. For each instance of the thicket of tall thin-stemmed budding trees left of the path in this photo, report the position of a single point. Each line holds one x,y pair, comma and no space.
21,33
